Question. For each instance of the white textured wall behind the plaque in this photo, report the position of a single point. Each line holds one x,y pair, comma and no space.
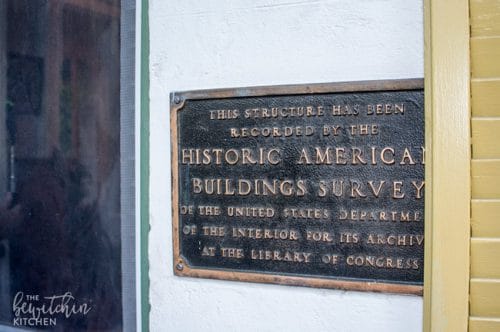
231,43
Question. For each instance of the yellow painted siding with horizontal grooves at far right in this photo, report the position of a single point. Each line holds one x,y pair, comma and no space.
485,166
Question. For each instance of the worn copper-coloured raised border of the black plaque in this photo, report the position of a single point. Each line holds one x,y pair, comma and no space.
180,266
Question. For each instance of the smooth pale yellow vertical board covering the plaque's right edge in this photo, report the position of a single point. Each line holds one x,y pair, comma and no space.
447,228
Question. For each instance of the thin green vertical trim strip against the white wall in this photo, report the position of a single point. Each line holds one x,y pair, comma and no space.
144,157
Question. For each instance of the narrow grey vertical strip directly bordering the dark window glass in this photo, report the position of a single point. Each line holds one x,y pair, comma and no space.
128,164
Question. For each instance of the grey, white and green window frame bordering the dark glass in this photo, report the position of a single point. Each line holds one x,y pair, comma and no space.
134,139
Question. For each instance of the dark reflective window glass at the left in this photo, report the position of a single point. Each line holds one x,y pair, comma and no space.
60,239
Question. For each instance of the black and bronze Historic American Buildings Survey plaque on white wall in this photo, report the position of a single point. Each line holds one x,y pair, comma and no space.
317,185
